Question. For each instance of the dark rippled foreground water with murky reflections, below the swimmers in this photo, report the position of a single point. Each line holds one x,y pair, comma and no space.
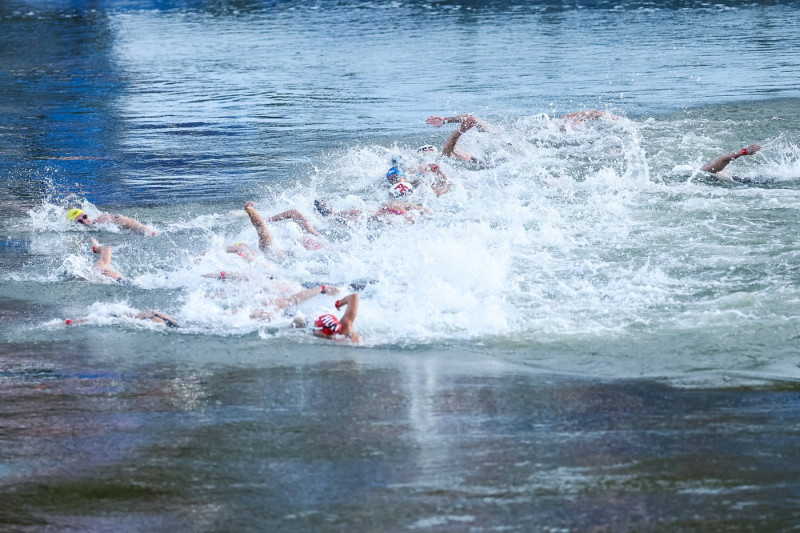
418,443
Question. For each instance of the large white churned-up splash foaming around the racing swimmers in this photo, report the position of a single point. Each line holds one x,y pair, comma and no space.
558,233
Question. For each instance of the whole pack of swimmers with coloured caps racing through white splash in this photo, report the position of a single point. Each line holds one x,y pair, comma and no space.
400,188
